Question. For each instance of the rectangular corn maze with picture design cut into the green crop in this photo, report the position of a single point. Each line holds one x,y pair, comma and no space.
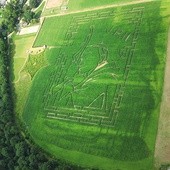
99,104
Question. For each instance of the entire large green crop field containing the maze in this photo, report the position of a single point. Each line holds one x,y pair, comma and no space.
96,102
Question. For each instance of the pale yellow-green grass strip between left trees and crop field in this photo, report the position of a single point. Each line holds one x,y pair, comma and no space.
21,79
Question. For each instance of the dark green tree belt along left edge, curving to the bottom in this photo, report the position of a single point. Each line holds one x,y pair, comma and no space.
16,151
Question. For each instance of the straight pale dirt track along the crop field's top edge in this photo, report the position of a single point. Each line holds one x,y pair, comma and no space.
103,7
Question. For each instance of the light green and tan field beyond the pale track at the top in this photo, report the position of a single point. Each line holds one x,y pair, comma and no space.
73,6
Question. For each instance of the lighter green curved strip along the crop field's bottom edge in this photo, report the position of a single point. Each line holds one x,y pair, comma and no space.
92,161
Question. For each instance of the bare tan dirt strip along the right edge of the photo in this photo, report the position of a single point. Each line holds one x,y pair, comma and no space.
162,148
